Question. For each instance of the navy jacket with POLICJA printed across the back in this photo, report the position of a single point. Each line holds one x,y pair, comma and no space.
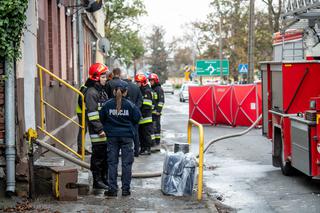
122,123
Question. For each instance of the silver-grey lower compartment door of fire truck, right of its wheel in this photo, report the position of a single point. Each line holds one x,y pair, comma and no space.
300,140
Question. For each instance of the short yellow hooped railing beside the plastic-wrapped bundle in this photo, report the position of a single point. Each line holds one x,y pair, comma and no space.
201,147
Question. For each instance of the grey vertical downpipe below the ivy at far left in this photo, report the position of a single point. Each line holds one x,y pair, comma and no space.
9,108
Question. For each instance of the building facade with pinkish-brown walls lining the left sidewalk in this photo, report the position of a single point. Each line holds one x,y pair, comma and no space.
63,39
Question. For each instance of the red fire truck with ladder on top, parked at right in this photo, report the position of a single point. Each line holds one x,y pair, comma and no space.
291,91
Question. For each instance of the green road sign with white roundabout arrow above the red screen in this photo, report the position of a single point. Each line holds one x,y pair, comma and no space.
211,67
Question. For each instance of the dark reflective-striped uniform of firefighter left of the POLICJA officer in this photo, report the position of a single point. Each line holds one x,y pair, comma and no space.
95,97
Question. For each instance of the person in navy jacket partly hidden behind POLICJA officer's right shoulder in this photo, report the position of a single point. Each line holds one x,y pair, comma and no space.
135,96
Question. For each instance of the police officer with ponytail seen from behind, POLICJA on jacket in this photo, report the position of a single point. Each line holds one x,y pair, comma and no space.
119,117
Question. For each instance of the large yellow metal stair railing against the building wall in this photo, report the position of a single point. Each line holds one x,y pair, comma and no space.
44,103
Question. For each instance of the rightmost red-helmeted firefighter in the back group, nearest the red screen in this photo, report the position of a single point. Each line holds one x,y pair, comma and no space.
158,100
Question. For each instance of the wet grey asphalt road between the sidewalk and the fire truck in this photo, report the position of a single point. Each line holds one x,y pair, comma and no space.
239,171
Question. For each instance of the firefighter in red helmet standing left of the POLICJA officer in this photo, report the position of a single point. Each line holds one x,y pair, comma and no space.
94,98
